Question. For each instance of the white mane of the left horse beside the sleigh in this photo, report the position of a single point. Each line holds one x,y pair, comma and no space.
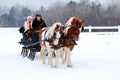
50,31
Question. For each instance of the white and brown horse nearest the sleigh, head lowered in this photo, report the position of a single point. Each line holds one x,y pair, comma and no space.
50,38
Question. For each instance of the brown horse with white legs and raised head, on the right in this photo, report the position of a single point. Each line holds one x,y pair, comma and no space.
71,35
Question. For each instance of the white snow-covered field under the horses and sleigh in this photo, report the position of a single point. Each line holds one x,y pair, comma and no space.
96,57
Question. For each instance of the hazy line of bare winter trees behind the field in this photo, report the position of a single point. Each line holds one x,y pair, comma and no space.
93,13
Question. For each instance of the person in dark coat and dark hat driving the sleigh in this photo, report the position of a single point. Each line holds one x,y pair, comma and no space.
38,22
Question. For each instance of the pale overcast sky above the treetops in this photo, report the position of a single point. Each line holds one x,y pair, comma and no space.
38,3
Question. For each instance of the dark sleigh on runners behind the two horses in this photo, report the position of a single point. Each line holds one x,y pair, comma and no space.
30,43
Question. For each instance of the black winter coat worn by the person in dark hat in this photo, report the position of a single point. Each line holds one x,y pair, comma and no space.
38,24
